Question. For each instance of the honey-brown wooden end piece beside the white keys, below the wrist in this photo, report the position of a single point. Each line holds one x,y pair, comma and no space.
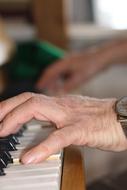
73,170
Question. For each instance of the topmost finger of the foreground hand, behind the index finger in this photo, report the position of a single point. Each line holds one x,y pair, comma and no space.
9,104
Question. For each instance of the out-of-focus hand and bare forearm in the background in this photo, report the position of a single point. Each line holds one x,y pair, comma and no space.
67,74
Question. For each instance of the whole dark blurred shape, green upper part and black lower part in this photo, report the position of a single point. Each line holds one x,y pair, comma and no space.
28,63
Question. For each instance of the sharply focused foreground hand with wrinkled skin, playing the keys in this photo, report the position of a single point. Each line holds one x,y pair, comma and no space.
79,120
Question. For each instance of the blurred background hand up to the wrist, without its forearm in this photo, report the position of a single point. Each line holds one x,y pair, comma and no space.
67,74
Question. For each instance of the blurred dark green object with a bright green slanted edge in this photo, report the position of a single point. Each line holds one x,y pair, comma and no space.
31,59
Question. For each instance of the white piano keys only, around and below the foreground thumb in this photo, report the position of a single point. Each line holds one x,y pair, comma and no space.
44,176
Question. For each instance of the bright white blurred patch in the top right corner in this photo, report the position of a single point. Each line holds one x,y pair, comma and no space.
111,13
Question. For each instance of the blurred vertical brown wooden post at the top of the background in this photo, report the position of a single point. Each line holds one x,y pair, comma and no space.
50,21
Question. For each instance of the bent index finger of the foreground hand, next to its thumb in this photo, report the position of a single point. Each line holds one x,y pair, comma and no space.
18,116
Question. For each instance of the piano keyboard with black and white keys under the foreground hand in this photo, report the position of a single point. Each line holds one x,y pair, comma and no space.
14,175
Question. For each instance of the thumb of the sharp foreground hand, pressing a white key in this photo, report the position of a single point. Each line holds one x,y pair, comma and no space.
54,143
